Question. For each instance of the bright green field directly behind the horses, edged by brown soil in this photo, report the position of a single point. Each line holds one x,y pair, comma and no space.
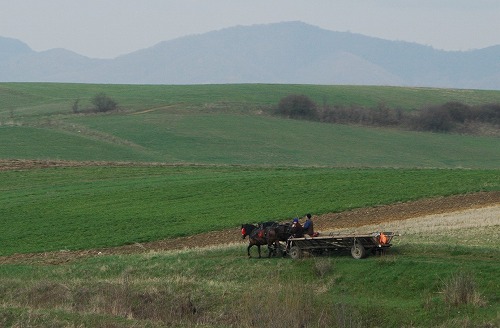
79,208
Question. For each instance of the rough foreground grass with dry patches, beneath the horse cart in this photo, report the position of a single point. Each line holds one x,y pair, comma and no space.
406,288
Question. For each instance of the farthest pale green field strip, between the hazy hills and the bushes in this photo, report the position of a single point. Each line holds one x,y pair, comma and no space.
32,99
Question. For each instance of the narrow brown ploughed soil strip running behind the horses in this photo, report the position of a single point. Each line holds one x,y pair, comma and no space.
349,219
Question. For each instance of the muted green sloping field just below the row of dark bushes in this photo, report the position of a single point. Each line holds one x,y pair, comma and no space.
249,140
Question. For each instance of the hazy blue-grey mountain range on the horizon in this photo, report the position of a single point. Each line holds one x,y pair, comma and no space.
291,52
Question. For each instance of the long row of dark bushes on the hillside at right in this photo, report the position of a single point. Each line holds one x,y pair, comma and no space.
448,117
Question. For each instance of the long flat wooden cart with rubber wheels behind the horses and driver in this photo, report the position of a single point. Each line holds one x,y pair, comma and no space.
359,244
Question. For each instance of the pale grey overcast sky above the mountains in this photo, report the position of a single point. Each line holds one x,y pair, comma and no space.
109,28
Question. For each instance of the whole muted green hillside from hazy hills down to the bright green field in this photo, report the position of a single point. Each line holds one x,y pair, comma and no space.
227,124
